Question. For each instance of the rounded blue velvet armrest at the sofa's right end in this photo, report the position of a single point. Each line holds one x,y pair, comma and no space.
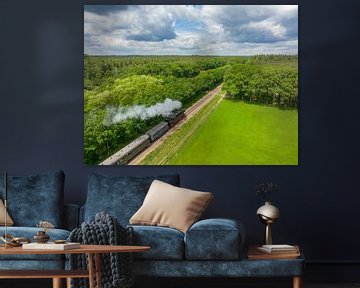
215,239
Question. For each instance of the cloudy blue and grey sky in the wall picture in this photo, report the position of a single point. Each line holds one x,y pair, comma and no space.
190,29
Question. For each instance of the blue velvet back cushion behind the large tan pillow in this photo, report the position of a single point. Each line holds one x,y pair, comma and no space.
120,196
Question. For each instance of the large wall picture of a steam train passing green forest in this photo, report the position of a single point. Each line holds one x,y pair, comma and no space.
191,85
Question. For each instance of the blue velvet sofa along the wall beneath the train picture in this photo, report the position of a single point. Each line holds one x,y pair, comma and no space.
209,248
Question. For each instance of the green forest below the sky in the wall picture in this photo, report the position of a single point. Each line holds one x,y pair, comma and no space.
119,84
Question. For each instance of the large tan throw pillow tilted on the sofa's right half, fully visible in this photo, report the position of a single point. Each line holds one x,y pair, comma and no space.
170,206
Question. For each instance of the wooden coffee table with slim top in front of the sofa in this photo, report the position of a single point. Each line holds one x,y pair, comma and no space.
57,275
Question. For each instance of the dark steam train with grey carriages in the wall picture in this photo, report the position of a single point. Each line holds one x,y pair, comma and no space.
124,155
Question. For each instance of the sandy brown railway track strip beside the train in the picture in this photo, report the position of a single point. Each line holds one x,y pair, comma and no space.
190,112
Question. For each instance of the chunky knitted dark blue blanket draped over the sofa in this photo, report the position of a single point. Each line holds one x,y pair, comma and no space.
116,268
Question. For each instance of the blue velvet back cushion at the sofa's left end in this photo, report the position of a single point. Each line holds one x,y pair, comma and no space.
34,198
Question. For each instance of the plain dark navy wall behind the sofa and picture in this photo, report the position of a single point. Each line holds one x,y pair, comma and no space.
41,120
